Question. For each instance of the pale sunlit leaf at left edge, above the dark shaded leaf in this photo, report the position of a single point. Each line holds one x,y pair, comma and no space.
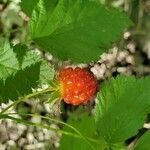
8,61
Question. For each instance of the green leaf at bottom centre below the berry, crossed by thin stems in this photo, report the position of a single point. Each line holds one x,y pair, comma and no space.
86,126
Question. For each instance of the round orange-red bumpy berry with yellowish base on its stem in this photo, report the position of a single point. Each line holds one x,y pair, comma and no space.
77,86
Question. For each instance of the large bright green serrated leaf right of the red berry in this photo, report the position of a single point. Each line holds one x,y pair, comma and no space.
121,107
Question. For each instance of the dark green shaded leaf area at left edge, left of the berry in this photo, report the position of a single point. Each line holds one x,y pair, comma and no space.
20,84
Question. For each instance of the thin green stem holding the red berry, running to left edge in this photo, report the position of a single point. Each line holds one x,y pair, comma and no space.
26,97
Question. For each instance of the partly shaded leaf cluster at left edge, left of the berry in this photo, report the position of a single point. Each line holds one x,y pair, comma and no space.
32,72
